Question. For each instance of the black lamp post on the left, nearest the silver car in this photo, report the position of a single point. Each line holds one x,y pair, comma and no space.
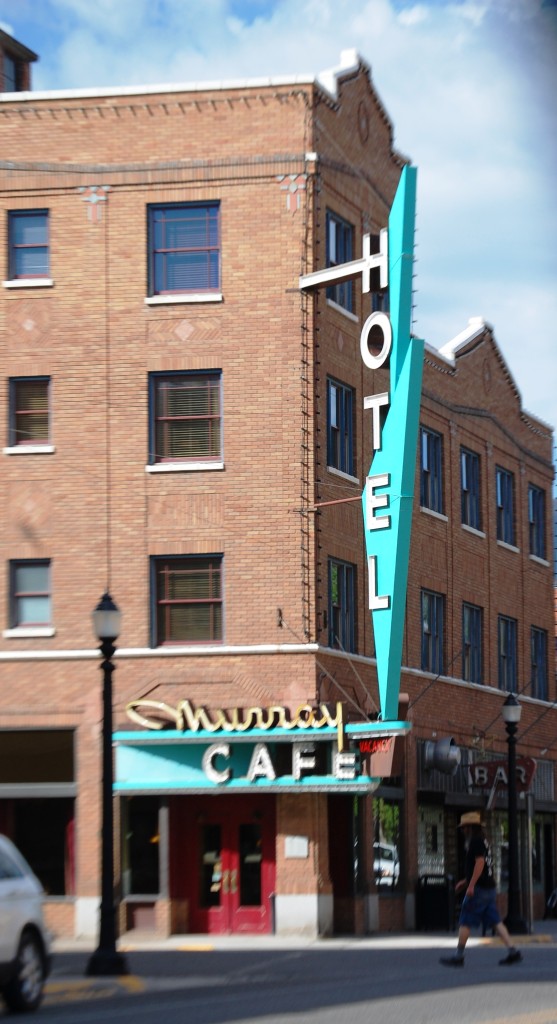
106,960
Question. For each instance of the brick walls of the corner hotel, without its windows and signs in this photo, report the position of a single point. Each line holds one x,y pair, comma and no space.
276,157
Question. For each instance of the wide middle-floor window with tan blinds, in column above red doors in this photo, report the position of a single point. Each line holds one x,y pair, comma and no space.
186,418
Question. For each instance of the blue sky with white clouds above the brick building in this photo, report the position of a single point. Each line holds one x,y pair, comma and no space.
469,86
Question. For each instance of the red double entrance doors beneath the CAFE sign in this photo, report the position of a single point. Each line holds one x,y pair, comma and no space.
227,854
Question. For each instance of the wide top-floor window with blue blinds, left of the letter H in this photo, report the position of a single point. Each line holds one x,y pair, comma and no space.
185,248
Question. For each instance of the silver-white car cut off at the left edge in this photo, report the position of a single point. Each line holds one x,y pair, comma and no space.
25,943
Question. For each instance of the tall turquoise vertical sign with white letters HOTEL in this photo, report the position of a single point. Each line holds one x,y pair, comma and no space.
389,495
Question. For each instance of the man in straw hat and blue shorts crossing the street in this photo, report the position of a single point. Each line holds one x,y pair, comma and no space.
480,906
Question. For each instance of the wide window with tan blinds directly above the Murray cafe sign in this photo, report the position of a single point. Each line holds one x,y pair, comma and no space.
188,600
